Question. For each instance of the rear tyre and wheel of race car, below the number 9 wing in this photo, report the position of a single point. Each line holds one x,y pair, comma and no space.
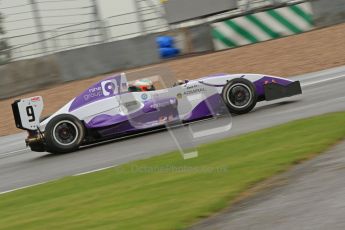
64,133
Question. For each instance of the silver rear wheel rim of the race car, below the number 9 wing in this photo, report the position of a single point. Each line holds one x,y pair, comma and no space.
65,132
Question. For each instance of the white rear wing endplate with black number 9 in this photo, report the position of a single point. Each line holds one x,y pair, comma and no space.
27,112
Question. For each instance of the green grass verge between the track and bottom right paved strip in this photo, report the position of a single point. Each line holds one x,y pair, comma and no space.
139,196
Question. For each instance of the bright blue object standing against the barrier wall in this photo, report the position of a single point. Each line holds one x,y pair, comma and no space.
166,47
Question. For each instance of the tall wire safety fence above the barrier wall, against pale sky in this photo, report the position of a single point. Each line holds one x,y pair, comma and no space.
36,28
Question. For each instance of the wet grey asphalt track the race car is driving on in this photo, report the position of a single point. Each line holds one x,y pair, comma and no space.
323,92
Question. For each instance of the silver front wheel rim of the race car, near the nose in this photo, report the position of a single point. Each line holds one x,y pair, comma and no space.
239,95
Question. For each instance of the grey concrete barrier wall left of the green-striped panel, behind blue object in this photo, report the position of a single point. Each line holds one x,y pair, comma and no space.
29,75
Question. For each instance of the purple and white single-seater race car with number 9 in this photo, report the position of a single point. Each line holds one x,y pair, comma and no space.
111,108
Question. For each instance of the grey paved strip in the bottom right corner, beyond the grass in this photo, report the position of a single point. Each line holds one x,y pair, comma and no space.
308,197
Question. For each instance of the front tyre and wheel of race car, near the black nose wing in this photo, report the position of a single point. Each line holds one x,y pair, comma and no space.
239,96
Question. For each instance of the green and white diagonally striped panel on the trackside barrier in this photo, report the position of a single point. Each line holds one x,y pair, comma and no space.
262,26
